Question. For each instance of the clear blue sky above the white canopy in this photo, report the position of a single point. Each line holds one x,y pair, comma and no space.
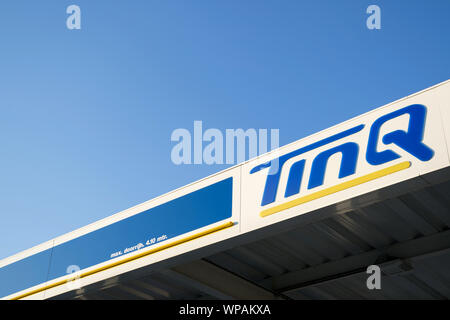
86,115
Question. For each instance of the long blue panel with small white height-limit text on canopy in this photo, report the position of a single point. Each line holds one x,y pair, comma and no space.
168,220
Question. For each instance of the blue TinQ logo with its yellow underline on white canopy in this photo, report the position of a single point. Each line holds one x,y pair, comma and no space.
410,141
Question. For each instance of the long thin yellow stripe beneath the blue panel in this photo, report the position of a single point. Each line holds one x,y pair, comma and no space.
114,264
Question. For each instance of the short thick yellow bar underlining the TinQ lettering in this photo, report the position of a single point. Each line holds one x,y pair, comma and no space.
336,188
